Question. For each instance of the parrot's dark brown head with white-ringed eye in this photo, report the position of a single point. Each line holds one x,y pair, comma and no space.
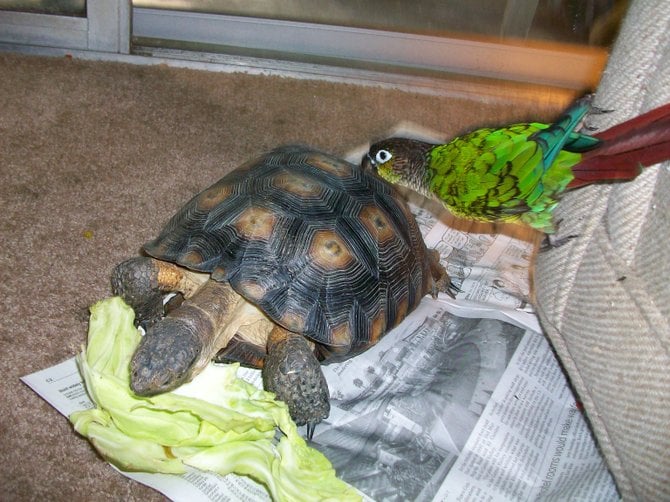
400,161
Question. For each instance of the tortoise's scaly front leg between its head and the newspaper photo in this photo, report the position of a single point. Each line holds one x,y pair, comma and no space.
294,374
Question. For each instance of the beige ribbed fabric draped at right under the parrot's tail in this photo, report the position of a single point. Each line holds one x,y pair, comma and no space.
604,297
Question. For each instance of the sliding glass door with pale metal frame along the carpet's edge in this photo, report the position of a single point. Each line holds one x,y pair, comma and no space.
560,43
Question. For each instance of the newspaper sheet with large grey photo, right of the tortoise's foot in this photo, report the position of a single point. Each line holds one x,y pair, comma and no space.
457,408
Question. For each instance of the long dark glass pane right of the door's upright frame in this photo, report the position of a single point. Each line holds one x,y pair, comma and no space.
591,22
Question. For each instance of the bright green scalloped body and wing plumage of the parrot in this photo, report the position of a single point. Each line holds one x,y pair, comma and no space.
512,173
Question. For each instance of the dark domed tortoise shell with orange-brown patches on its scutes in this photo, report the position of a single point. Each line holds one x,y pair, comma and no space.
323,247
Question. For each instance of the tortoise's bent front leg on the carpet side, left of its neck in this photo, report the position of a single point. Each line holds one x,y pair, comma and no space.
142,282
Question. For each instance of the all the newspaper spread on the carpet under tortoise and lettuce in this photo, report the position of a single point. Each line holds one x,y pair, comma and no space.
464,400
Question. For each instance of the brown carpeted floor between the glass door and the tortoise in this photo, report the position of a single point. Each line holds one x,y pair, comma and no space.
94,157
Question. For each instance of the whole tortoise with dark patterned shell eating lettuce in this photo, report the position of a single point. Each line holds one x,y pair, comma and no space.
293,259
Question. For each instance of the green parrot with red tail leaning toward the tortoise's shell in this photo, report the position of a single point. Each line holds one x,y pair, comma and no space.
517,173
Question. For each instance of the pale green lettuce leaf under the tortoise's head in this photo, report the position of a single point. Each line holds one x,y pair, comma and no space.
218,422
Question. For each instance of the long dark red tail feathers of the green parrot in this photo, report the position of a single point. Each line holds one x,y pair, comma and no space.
627,148
